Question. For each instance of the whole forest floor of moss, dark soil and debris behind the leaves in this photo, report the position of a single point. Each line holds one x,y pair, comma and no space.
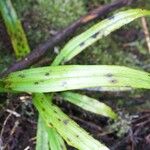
126,46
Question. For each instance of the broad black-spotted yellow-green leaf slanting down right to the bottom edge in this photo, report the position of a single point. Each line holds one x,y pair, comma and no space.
67,128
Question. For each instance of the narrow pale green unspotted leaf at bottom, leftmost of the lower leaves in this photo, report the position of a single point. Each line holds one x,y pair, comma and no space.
42,136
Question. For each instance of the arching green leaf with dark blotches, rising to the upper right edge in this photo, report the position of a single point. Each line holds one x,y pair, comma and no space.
96,32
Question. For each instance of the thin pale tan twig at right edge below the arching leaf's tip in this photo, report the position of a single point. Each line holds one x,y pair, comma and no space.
146,32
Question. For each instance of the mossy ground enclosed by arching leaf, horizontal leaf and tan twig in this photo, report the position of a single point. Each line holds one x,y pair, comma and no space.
111,50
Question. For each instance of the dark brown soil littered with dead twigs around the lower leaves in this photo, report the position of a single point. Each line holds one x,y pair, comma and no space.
19,130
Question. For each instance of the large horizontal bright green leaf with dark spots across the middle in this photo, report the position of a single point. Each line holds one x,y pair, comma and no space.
62,78
